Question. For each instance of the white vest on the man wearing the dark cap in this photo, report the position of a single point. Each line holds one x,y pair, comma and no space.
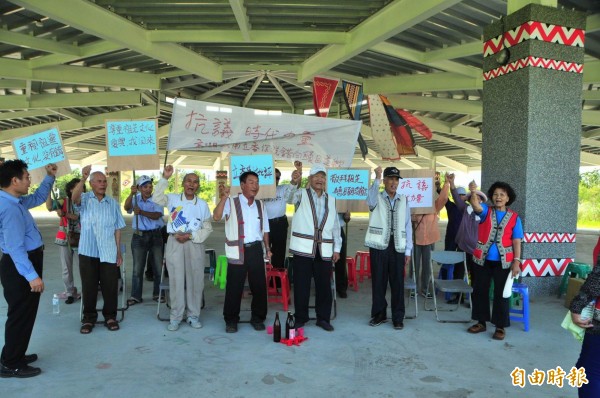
380,224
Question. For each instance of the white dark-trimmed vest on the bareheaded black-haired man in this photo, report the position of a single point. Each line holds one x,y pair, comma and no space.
234,230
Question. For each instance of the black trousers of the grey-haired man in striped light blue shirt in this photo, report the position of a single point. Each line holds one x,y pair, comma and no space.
92,272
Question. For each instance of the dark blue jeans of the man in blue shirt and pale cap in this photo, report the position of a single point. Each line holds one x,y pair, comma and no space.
149,243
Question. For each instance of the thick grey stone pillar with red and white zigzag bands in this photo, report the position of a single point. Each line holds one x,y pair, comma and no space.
532,129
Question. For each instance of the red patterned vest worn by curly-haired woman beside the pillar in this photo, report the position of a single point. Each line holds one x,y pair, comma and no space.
501,234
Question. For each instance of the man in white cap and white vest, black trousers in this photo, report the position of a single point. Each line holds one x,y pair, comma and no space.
315,243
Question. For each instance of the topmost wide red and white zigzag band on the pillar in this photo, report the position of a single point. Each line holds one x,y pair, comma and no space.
534,30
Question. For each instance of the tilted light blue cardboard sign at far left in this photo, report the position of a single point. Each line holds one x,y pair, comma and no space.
41,149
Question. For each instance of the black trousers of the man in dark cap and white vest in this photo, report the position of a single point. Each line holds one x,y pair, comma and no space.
387,266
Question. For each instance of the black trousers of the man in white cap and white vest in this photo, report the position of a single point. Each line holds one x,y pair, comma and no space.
306,268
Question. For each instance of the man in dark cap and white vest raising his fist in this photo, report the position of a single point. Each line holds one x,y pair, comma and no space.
389,239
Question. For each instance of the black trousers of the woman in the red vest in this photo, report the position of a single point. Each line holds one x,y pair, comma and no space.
482,276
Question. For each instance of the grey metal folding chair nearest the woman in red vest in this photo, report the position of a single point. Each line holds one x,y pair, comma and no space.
460,286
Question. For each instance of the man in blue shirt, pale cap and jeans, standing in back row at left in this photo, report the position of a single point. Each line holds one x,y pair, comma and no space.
147,237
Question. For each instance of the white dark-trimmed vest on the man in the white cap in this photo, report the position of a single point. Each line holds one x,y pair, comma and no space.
307,235
